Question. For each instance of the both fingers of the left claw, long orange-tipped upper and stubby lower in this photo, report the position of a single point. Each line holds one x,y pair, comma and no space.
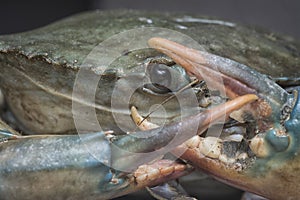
133,151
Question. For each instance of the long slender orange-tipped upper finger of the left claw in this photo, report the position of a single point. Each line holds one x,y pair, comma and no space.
133,150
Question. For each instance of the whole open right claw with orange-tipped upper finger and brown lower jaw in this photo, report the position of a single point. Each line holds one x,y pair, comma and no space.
272,165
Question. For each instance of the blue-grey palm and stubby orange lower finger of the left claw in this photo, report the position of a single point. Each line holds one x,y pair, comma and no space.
61,167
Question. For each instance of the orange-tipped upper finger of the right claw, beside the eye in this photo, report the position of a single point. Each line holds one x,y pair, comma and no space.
225,75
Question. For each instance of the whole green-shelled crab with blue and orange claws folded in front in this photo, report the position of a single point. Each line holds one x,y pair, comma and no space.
42,155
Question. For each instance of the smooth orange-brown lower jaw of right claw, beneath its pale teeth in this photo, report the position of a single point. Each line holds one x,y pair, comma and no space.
275,177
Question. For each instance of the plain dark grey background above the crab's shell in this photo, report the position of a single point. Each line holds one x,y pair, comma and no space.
278,15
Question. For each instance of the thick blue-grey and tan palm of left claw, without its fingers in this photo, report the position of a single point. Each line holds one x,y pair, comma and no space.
31,158
